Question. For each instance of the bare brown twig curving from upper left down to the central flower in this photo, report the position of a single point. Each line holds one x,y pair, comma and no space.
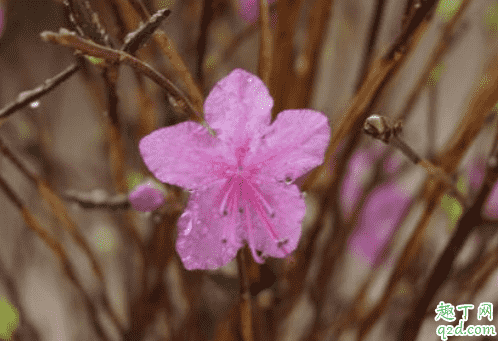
70,39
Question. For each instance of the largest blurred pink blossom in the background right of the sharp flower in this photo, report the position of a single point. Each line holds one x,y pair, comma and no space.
381,214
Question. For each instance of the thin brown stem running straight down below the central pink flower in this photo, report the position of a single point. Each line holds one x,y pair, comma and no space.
245,299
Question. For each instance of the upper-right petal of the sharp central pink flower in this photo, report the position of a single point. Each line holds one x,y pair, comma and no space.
293,145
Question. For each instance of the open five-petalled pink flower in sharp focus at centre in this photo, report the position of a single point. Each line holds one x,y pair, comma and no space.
241,181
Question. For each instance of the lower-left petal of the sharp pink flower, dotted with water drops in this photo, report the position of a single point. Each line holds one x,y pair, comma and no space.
201,232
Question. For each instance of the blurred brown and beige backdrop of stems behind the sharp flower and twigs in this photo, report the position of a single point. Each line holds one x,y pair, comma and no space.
364,259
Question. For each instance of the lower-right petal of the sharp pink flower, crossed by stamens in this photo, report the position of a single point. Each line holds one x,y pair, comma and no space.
275,234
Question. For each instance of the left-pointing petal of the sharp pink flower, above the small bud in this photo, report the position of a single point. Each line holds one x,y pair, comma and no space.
185,155
